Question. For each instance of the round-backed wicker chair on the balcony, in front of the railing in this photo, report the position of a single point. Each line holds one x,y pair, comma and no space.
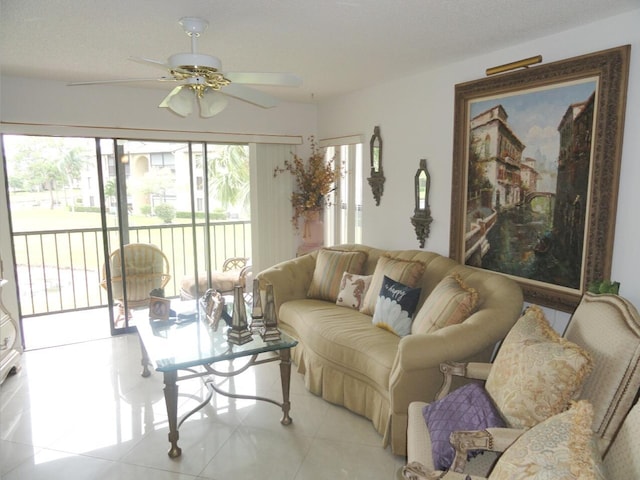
145,268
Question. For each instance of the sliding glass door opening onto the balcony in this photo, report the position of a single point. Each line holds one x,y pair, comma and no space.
75,202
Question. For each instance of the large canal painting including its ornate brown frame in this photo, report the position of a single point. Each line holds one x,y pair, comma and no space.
536,165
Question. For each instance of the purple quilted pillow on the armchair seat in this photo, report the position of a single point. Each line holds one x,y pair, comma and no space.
467,408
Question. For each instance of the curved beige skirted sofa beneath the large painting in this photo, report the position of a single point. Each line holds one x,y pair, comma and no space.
351,362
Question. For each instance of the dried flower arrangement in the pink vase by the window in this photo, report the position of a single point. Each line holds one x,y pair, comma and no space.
314,178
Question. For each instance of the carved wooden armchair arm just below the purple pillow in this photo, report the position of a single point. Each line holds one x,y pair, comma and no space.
490,439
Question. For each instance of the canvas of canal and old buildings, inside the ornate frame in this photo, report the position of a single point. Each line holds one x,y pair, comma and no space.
528,181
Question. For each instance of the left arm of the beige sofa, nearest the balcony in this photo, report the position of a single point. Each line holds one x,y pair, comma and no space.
290,279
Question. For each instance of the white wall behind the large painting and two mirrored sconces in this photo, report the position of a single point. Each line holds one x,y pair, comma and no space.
415,115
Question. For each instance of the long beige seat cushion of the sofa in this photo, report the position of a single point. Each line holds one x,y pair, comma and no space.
345,338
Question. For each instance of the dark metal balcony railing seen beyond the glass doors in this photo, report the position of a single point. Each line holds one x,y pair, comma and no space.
61,270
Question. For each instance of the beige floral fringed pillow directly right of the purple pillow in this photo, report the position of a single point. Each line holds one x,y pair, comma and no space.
536,372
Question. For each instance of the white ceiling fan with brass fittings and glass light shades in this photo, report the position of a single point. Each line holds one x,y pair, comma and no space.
201,77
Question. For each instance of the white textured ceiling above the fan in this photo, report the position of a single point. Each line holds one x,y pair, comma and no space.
336,46
